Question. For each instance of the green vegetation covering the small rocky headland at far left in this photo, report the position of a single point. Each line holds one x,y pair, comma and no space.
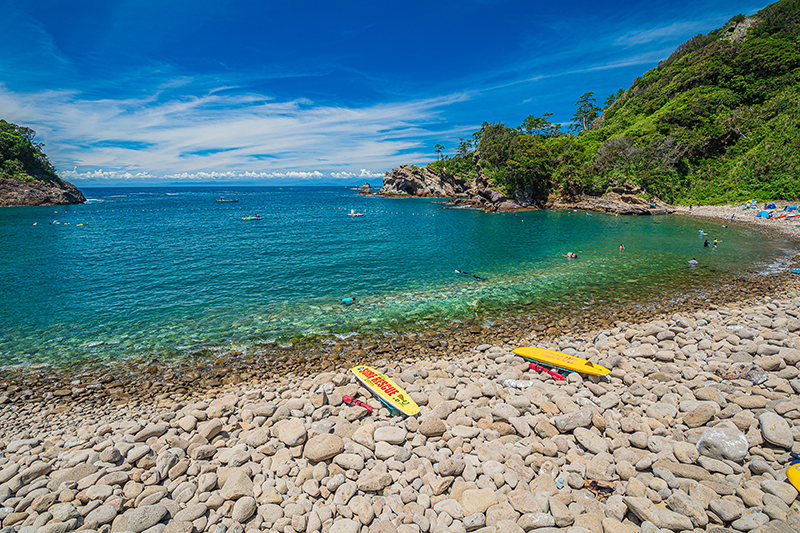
21,157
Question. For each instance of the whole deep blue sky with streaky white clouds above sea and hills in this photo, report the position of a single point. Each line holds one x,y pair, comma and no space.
135,92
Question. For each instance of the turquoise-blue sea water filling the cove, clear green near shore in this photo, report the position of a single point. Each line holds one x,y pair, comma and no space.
171,272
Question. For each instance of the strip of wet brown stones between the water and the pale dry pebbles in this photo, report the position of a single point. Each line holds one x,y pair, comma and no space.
129,381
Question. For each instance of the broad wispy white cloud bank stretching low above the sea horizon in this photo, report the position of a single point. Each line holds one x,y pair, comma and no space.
220,136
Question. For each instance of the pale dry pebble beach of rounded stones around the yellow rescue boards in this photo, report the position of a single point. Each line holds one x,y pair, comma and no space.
692,431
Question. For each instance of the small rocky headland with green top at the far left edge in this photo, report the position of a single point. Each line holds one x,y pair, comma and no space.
26,175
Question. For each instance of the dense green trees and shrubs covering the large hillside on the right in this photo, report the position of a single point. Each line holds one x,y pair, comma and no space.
718,121
